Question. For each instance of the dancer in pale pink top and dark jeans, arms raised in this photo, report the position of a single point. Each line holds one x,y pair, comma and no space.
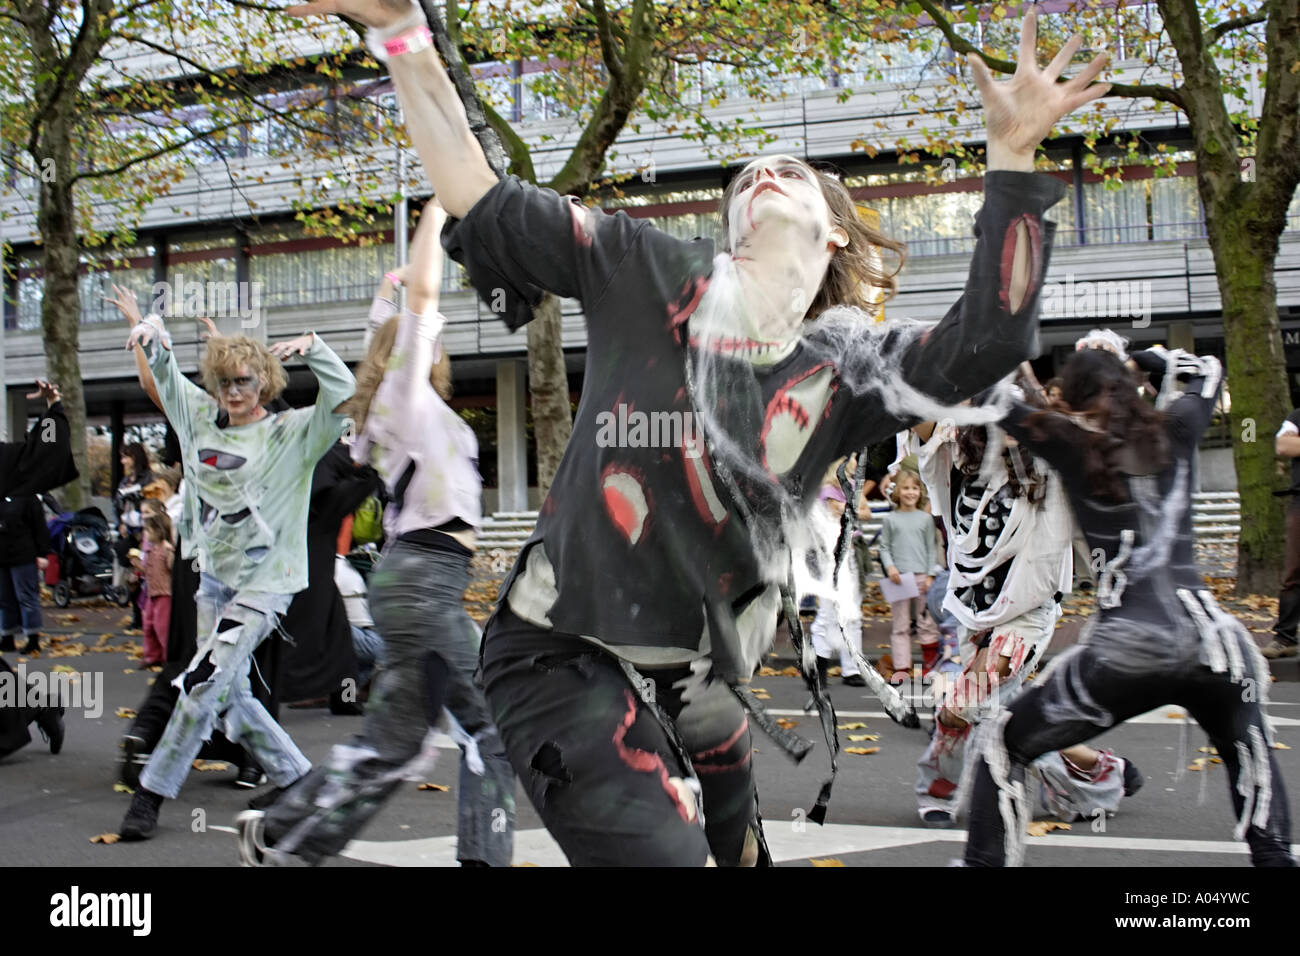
431,644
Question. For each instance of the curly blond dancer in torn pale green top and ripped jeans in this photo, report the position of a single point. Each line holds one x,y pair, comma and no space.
248,486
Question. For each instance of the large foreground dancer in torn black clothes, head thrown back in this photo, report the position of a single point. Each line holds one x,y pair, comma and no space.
651,586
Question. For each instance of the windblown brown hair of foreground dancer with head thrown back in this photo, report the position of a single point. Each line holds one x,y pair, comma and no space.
857,270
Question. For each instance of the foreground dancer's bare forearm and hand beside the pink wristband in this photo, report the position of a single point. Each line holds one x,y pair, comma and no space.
435,118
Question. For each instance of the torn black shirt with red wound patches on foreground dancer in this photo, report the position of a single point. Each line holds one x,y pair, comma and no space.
639,546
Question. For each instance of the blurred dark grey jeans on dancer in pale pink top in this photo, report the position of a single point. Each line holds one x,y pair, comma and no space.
417,602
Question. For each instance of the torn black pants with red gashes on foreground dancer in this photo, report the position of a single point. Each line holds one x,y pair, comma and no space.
597,763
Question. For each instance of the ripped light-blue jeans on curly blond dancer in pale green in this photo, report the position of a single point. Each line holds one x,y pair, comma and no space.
232,625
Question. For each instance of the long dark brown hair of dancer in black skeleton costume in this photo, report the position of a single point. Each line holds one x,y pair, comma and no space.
1097,383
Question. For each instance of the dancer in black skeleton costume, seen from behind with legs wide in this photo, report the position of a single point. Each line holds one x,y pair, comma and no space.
1159,637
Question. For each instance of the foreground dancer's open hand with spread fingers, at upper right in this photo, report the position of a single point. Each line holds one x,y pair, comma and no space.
1022,111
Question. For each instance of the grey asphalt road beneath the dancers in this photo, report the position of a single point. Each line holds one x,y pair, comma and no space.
53,806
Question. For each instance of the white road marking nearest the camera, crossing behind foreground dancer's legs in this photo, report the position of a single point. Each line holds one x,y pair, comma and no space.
834,840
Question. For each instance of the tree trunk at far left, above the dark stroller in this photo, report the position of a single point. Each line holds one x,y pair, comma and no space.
60,306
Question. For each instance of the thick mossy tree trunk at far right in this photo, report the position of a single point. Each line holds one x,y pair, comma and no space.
1245,256
